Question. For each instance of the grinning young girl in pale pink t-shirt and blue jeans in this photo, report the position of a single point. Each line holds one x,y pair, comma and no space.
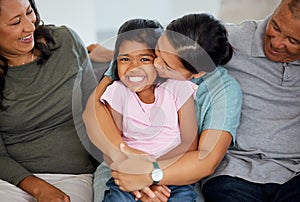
148,112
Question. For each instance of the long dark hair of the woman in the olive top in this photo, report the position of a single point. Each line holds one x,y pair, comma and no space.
42,39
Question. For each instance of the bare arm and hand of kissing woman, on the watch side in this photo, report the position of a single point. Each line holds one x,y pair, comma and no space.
194,165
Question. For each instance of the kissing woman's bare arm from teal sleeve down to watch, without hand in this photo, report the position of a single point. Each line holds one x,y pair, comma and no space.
195,165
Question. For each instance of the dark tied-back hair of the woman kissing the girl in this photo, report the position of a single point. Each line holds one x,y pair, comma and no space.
201,42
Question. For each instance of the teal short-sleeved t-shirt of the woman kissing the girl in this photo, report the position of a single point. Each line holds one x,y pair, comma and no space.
218,101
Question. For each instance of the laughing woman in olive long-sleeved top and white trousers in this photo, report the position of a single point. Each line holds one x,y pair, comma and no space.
40,150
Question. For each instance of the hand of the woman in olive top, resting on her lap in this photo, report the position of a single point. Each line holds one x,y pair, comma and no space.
43,191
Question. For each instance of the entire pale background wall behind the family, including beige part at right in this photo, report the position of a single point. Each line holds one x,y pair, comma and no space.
98,20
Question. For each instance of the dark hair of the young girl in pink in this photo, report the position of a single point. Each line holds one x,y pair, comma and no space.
139,30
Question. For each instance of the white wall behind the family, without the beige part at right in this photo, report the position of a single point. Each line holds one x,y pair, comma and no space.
98,20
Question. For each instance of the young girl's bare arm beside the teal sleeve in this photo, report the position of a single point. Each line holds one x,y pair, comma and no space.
188,130
